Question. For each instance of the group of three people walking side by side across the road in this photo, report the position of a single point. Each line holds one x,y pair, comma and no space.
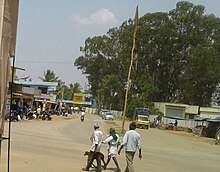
130,142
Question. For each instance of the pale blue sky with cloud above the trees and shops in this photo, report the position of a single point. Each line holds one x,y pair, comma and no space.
51,32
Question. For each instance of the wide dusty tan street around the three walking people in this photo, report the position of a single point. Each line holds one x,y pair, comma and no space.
59,145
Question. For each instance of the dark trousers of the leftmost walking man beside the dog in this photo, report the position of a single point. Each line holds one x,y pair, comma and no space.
94,155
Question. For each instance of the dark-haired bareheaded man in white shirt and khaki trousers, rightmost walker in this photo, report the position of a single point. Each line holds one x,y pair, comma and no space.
131,142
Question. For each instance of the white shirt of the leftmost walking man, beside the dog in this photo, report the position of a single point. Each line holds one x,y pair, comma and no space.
96,139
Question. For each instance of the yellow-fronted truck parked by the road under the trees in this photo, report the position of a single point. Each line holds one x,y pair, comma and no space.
141,118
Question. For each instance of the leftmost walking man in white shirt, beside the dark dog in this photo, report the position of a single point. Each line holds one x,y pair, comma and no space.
96,140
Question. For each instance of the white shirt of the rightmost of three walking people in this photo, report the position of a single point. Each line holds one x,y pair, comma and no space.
131,141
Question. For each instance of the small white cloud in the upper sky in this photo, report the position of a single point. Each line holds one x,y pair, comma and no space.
103,16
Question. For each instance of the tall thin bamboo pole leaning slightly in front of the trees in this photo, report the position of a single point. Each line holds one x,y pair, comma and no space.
130,67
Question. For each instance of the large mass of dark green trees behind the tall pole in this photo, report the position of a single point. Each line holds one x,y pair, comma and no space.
177,58
